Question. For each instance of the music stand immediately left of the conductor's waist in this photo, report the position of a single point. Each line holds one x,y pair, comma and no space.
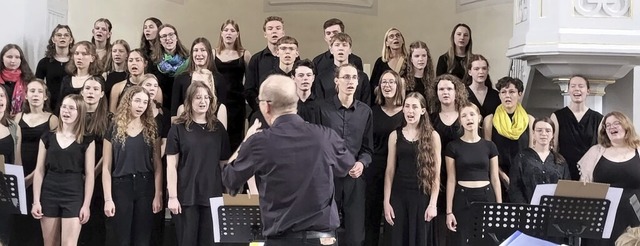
240,224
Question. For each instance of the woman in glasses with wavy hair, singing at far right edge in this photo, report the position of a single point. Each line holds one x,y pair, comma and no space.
615,160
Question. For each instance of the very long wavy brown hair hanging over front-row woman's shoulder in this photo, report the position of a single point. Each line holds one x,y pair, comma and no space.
426,161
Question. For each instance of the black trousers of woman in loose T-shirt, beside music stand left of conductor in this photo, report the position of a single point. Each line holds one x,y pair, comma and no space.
194,226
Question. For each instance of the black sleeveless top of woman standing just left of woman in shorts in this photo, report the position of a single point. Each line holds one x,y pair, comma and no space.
31,143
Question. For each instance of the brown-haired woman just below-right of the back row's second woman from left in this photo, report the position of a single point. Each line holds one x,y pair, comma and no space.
115,70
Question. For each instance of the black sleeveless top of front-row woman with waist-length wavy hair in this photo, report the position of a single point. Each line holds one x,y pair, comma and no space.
406,175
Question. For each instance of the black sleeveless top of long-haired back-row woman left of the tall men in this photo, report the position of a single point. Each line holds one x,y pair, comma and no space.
230,91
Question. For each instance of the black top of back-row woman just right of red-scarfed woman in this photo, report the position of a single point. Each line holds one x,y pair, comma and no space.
52,71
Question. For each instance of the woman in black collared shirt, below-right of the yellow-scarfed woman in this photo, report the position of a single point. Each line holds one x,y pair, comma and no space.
540,164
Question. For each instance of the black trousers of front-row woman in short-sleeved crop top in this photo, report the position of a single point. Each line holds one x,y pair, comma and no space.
462,199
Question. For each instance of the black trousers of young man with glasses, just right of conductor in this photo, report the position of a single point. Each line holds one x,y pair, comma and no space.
350,199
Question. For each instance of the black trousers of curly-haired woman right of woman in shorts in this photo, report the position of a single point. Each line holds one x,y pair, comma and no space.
133,198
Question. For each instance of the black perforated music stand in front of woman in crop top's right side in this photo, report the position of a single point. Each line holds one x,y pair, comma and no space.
495,222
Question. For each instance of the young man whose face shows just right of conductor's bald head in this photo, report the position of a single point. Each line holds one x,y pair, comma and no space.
304,73
